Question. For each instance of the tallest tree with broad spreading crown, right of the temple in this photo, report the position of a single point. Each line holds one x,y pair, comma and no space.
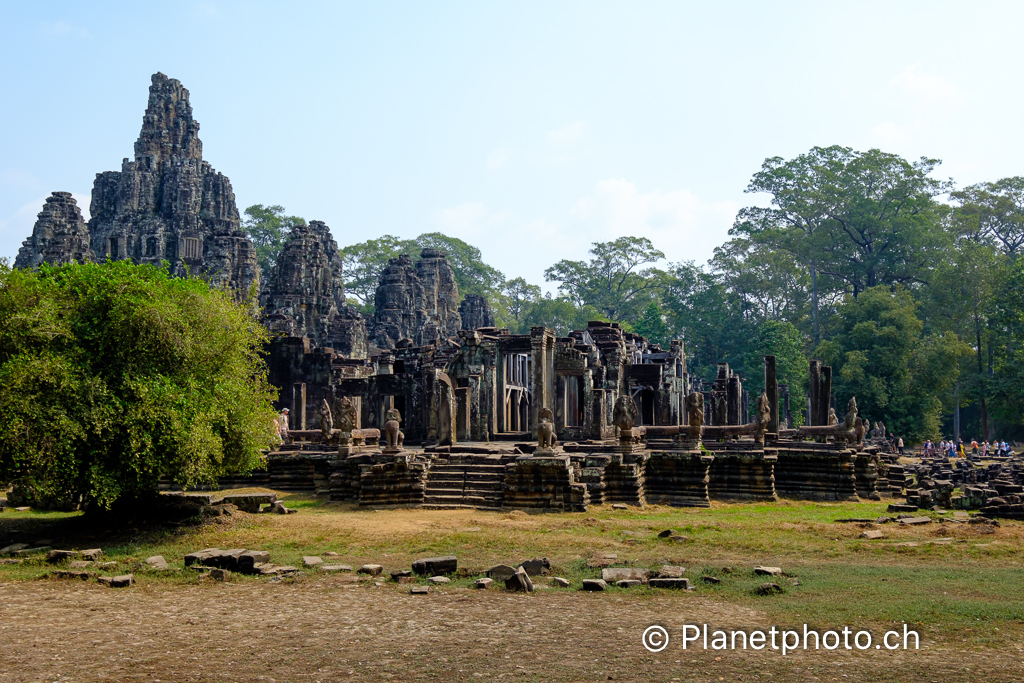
860,220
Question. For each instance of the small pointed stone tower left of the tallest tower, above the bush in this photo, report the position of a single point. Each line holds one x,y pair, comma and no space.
59,237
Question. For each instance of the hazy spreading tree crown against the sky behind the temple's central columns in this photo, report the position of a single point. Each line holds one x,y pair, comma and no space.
614,282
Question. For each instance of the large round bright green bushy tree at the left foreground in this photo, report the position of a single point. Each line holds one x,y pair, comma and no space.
115,375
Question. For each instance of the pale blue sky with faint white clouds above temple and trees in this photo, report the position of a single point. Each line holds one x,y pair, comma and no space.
527,130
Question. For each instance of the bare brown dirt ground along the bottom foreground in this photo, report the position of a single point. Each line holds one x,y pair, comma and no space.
339,629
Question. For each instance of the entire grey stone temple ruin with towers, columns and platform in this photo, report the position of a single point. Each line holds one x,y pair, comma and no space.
470,414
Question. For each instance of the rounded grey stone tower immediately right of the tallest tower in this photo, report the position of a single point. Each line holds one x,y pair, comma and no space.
305,296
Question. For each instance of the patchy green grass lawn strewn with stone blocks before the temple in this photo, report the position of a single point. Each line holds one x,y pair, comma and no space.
960,585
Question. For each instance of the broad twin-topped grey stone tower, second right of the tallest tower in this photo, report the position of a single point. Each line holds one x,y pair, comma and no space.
416,302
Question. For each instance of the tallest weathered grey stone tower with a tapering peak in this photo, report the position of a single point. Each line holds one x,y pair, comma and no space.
172,205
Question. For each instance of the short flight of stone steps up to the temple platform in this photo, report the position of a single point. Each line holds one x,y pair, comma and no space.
465,484
